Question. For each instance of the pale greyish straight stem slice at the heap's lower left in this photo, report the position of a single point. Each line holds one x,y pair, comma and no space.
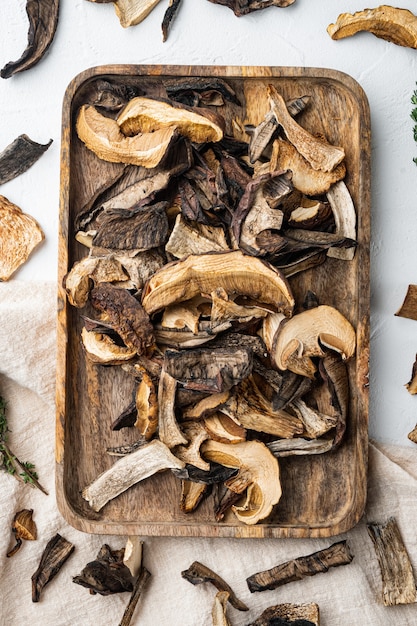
149,459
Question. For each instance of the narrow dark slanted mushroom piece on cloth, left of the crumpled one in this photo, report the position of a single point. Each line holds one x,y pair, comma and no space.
55,554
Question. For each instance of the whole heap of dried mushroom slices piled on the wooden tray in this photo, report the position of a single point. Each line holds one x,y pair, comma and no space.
231,369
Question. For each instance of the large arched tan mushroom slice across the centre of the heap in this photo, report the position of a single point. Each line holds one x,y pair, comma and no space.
201,274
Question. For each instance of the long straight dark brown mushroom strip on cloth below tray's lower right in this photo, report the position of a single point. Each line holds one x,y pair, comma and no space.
319,562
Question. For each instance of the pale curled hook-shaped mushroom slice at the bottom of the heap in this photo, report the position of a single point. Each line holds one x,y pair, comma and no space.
258,474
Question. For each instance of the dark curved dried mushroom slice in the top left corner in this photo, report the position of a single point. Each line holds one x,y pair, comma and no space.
43,21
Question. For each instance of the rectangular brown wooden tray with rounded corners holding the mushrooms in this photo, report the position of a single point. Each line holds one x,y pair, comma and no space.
323,495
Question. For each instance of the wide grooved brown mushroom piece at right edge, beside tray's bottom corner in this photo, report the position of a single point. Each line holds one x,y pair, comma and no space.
398,583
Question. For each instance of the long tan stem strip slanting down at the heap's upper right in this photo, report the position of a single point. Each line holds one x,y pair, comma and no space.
320,154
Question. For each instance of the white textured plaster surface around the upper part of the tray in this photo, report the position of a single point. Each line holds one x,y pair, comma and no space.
90,34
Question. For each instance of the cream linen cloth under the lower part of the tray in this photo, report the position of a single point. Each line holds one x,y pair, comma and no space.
348,595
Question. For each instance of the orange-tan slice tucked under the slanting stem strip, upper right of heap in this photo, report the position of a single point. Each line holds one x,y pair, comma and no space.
306,179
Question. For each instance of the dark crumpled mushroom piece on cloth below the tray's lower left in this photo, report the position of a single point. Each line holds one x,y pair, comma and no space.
107,574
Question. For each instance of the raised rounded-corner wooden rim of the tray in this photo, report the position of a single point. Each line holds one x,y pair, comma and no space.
160,528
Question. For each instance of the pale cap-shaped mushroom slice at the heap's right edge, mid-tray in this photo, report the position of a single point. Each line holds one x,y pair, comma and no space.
306,334
